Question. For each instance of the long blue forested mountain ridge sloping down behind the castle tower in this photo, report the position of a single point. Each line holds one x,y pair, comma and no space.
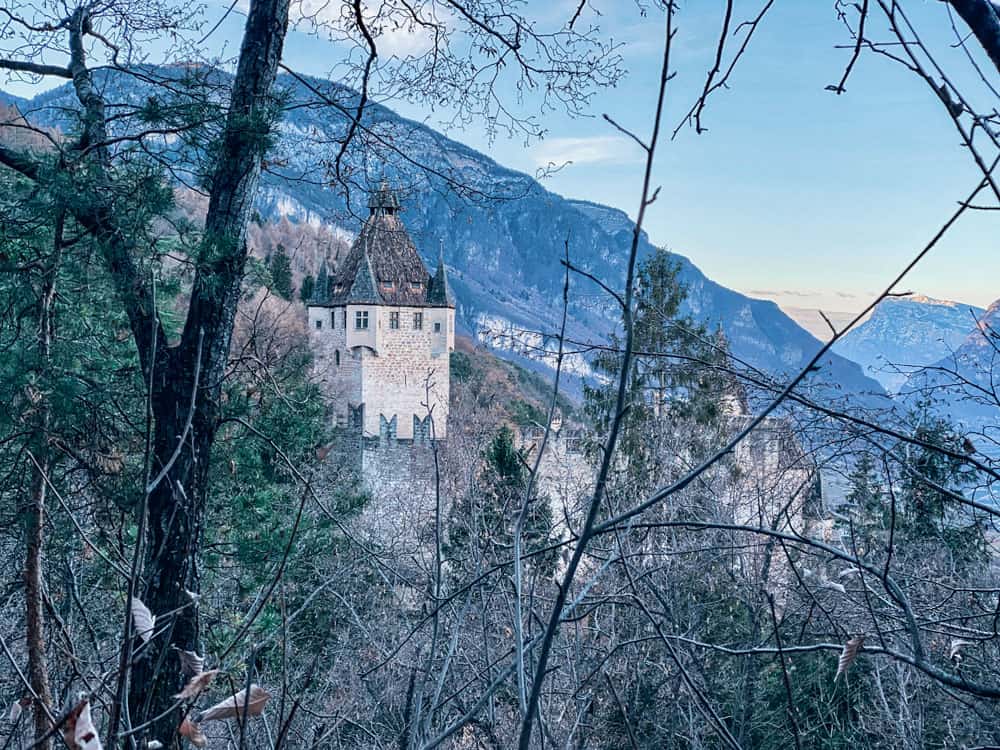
503,235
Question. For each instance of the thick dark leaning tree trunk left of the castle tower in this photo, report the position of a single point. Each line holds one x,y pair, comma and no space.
192,373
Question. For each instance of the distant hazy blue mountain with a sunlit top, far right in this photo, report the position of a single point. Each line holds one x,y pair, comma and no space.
907,332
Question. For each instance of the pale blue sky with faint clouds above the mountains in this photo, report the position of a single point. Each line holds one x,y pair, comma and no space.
794,193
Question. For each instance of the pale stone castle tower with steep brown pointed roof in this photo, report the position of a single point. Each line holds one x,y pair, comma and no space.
383,328
